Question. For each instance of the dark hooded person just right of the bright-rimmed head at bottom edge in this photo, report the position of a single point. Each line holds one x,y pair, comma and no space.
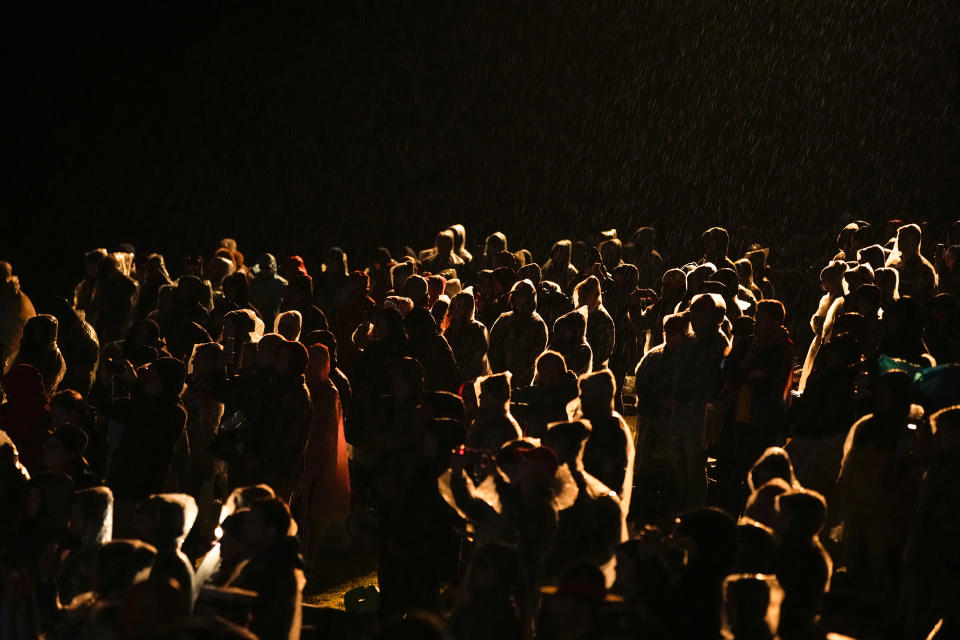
802,566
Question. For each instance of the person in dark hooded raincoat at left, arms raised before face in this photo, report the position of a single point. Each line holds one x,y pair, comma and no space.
154,422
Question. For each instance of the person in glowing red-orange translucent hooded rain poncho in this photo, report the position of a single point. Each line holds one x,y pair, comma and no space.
324,488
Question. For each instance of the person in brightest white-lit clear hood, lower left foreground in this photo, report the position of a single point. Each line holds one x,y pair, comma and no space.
164,520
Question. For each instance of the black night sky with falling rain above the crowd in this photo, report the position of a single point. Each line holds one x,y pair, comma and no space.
169,125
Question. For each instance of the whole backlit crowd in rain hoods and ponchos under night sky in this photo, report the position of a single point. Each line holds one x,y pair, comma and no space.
603,442
